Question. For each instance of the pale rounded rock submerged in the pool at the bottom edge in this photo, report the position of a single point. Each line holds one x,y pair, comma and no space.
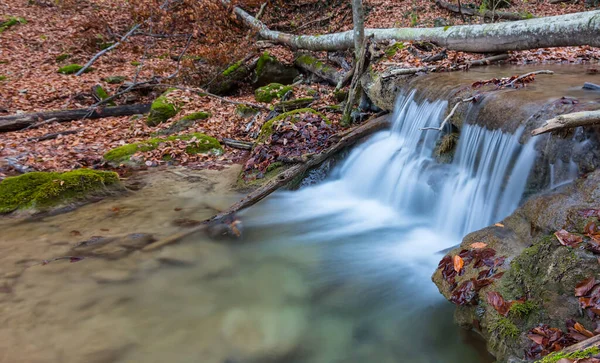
264,333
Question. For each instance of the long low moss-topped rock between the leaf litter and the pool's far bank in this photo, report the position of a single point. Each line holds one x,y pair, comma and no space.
203,144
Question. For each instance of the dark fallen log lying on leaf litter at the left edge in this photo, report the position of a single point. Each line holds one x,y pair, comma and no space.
18,122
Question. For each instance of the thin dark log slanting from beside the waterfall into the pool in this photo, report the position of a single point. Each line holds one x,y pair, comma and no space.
346,138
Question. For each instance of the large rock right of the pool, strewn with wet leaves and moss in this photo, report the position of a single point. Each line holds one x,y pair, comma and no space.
530,269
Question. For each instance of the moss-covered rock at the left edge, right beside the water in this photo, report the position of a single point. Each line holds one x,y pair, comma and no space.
44,190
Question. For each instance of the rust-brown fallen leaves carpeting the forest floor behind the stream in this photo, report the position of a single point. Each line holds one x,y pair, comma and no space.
56,34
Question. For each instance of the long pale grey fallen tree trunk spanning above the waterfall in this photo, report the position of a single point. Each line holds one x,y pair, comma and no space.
554,31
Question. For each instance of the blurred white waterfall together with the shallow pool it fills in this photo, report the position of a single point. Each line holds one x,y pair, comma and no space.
334,272
